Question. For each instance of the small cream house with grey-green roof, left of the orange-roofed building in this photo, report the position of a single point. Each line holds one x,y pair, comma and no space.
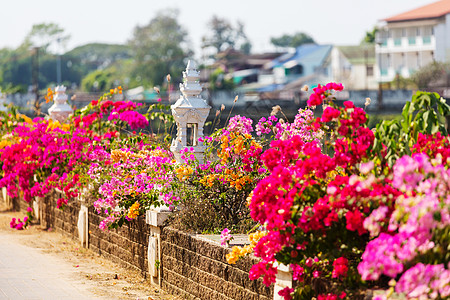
353,66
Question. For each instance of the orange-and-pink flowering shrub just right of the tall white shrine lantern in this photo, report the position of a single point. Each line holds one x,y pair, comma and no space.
222,183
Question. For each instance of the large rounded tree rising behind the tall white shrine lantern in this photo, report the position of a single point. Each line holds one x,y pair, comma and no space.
160,48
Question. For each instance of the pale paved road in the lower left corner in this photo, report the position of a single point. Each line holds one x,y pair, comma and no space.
29,273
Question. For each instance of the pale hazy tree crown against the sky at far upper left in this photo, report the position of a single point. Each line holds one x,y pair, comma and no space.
44,35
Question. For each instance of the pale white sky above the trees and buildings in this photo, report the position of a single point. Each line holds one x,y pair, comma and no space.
339,22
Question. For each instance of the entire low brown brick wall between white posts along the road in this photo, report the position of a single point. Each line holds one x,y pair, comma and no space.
191,267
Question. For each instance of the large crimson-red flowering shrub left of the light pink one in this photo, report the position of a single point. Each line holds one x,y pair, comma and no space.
308,199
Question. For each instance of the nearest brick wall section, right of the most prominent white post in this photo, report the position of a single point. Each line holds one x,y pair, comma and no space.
197,269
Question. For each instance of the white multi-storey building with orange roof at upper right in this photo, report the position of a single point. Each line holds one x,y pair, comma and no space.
413,39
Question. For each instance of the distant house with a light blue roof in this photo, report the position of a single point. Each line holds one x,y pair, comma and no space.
306,60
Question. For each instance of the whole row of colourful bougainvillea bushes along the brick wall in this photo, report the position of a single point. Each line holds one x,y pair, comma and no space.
347,208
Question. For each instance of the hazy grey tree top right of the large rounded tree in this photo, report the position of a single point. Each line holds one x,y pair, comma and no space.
224,35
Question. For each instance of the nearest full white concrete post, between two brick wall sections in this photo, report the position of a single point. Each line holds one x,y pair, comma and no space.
155,217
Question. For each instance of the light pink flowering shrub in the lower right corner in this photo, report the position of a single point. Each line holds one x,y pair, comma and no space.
416,230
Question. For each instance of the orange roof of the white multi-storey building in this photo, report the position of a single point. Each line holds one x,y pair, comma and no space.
430,11
